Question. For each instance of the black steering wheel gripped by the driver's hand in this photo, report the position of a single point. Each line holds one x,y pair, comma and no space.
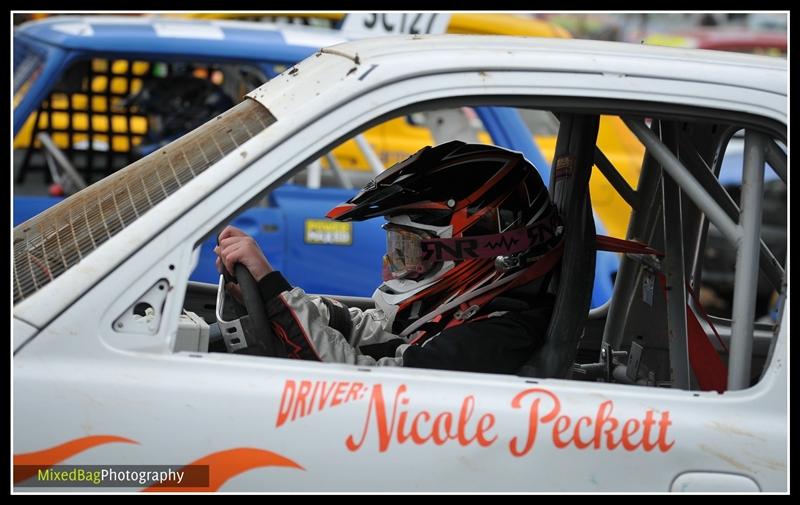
258,335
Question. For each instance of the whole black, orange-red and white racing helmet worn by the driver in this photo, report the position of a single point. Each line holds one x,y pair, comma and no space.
462,220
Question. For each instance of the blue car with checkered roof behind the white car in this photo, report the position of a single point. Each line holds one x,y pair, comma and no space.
94,92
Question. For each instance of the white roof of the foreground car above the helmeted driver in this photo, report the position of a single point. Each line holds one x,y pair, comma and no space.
702,78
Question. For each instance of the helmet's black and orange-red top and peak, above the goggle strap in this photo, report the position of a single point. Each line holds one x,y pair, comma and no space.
476,188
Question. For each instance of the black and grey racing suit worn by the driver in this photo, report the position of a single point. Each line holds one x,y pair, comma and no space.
322,329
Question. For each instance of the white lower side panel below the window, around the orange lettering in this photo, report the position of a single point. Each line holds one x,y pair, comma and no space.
236,401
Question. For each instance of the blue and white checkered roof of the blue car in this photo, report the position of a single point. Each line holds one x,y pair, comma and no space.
154,35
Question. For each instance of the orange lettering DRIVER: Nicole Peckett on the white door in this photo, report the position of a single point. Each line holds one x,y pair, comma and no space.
392,415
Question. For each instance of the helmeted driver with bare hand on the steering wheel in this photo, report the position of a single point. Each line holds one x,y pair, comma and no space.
472,239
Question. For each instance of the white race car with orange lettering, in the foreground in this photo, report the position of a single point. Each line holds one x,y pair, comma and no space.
114,365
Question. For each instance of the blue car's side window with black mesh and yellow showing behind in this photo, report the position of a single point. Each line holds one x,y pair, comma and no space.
105,114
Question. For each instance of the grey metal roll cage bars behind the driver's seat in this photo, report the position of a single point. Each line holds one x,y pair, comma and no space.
684,228
